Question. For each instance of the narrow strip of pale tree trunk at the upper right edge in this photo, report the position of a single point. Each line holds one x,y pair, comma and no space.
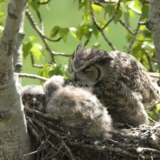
154,26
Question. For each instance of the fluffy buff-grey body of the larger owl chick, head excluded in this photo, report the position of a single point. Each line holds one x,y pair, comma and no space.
80,111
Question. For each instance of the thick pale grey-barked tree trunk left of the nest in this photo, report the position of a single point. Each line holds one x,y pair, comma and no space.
14,139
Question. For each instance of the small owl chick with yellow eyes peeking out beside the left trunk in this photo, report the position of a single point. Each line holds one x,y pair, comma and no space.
33,97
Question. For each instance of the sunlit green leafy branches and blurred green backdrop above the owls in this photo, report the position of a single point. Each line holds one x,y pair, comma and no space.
105,24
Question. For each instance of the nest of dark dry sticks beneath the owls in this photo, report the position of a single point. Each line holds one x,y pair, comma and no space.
51,141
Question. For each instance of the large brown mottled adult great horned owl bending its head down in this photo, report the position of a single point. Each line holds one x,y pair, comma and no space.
118,80
